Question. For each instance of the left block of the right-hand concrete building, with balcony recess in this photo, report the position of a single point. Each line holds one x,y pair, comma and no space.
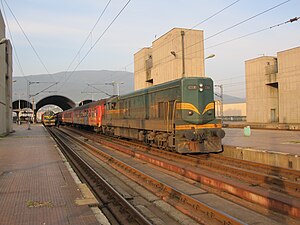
262,98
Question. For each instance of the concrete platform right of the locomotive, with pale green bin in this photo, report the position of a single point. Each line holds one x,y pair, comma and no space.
273,147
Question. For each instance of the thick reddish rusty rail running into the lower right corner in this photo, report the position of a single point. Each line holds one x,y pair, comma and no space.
287,206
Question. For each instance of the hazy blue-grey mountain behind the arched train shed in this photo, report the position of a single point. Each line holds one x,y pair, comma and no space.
81,85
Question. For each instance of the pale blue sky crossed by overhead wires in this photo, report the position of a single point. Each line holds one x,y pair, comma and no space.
58,28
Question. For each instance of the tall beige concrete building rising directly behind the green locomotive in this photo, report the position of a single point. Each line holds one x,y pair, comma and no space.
178,53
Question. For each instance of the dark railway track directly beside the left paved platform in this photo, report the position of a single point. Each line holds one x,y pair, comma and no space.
114,206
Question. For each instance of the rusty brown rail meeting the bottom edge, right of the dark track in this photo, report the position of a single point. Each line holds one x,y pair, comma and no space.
183,202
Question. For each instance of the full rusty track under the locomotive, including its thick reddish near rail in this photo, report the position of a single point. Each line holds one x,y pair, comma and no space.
270,187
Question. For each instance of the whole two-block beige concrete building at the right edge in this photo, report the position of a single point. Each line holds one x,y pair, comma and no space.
272,89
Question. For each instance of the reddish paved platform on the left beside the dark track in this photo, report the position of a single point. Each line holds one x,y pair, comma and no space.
35,184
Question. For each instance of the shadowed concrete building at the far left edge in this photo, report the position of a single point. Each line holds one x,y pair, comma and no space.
5,82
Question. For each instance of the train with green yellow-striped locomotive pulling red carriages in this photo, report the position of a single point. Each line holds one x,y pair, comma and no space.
178,116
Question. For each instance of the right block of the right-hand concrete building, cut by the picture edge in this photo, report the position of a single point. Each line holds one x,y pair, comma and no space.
289,85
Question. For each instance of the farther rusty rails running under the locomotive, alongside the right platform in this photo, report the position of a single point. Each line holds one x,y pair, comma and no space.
271,177
